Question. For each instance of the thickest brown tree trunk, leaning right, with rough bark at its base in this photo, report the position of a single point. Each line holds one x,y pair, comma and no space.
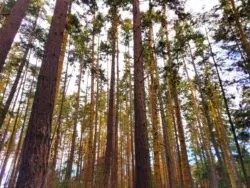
34,163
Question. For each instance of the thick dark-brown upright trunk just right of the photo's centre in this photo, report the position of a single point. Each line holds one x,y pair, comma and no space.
142,159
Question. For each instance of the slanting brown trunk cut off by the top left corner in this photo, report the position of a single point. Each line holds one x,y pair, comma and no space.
10,28
